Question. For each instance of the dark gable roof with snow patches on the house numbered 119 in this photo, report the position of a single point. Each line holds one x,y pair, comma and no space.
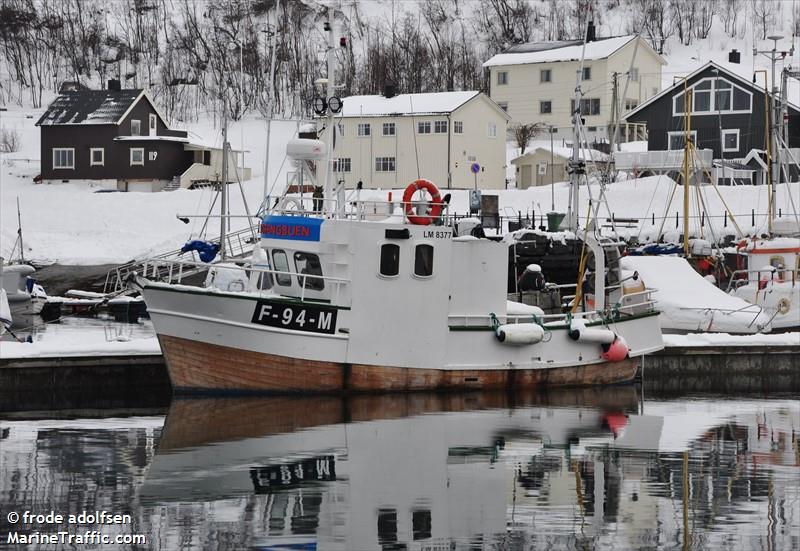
84,107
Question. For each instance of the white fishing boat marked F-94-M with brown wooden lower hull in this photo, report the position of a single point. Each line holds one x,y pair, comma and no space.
337,297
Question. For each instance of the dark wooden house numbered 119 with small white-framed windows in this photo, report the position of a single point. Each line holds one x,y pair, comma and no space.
115,138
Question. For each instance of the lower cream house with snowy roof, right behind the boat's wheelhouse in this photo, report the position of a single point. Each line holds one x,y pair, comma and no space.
389,141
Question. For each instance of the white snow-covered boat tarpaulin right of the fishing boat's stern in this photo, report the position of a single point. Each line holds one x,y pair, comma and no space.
688,302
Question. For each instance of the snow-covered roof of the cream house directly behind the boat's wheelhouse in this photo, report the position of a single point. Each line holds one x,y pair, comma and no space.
405,104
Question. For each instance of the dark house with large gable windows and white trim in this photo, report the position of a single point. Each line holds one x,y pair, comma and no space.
728,114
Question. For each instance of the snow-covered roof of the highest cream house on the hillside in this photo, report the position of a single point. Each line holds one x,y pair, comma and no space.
561,51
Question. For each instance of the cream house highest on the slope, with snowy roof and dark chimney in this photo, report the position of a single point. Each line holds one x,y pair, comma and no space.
536,82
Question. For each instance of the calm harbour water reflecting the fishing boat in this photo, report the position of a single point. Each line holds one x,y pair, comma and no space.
574,470
